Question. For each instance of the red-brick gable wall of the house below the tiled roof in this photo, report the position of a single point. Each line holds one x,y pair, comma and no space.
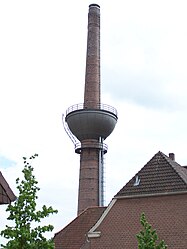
166,214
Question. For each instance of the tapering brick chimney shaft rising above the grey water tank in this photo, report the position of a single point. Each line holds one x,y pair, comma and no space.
92,77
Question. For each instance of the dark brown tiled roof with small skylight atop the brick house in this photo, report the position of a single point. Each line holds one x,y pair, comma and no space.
161,175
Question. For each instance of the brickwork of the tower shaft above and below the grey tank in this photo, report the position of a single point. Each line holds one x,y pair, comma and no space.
89,159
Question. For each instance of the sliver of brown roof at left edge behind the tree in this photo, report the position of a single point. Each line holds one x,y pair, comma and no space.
6,194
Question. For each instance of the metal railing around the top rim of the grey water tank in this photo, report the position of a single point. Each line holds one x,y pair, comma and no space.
101,106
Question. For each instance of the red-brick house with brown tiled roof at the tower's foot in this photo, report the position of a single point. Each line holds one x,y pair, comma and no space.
159,190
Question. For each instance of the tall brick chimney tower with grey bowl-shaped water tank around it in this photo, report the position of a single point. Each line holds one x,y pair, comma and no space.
91,122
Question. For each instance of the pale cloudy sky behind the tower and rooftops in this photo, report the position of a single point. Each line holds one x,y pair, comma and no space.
42,73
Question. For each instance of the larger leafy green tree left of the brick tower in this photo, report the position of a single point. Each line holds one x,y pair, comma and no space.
27,233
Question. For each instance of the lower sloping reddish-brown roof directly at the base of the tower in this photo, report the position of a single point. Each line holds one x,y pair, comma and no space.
73,236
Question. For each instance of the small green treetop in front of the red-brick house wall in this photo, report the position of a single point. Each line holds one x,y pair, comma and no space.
148,238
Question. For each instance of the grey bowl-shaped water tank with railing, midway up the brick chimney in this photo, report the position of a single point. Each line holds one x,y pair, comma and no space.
91,123
